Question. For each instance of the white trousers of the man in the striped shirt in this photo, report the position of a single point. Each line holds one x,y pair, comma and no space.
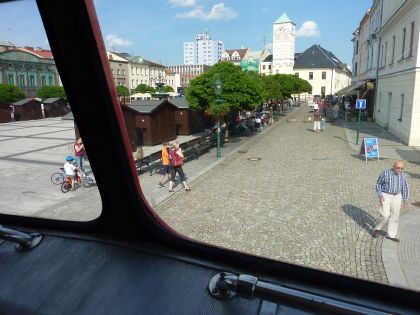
390,213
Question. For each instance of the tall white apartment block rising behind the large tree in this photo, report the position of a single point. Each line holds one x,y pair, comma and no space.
203,51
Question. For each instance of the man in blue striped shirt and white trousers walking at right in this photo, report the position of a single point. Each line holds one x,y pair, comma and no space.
392,189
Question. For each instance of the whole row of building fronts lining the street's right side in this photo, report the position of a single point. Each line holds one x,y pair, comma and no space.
386,58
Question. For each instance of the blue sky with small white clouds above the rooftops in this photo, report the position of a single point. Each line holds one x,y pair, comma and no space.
157,29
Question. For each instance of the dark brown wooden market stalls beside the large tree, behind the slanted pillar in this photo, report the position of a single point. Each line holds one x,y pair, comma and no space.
151,122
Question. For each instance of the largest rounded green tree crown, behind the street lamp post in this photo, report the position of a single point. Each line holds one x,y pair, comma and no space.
240,90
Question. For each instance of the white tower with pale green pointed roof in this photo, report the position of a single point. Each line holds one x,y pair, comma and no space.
283,45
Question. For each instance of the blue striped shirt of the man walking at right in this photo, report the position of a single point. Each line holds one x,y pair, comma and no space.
389,182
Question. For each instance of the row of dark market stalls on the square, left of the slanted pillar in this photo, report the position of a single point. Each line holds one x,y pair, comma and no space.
31,108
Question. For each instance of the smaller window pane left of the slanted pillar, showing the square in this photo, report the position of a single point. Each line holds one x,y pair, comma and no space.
38,135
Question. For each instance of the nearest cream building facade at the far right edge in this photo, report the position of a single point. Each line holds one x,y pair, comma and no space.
398,88
